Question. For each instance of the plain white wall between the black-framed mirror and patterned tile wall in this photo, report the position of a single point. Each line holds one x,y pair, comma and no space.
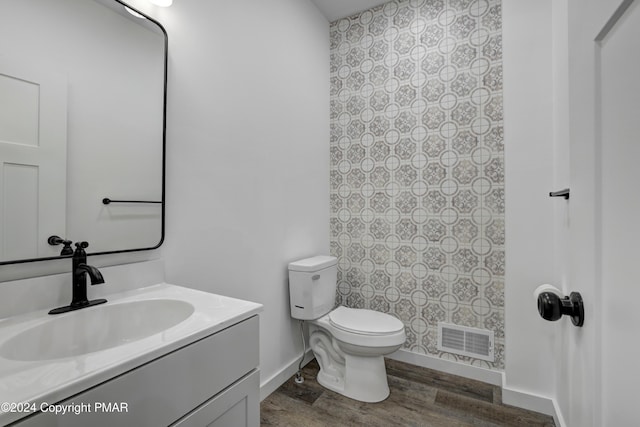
248,153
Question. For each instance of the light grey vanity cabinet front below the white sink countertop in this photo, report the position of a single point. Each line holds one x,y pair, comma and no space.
211,382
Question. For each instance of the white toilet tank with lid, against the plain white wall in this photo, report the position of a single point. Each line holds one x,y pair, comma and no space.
312,286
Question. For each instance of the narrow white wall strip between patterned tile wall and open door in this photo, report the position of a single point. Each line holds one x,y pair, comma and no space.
531,343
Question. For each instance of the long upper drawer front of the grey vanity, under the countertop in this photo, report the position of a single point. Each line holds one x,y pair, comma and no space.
166,389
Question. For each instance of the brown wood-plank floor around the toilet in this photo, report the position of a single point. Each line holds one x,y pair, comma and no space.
419,397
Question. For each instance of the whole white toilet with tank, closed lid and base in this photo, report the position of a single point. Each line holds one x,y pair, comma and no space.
348,343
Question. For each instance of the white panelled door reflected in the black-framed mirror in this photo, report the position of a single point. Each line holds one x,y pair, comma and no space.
33,158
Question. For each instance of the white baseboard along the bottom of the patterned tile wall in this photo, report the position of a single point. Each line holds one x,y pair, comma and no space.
448,366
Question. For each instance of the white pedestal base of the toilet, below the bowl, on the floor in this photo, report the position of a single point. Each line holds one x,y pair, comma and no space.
365,379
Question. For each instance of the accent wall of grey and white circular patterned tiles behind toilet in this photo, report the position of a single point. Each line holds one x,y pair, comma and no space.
417,166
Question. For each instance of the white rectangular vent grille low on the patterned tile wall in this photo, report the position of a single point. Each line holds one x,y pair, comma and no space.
472,342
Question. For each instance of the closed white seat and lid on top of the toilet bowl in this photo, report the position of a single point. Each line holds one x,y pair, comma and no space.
364,322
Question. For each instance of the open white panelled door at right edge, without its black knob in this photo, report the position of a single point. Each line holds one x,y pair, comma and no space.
601,360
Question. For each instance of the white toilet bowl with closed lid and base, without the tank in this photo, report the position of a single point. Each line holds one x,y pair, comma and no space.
349,345
